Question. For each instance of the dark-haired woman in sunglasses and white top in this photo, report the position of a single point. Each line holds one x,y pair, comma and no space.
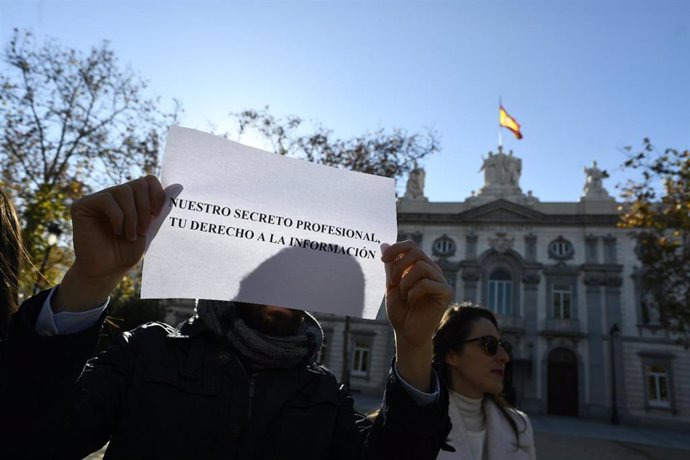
471,359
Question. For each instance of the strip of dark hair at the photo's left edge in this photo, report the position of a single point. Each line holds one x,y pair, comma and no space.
11,258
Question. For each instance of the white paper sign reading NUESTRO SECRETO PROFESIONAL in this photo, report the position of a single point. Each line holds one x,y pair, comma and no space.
243,224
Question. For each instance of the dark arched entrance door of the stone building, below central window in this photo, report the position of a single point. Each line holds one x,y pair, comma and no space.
562,385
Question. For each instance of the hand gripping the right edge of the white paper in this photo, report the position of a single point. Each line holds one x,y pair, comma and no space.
417,293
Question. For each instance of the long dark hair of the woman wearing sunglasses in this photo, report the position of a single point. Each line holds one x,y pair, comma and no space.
455,327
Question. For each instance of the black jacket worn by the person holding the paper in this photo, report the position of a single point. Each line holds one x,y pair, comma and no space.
161,392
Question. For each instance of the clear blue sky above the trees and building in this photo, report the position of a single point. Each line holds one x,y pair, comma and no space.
584,78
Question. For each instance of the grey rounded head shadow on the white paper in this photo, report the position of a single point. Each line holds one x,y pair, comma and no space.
306,279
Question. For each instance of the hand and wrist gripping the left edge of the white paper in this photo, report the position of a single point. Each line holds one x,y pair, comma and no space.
109,239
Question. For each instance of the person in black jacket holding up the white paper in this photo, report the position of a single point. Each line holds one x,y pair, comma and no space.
235,381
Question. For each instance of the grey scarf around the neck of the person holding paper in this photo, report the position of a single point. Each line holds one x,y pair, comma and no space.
261,351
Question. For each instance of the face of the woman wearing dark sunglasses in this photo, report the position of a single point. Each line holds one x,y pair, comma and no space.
473,371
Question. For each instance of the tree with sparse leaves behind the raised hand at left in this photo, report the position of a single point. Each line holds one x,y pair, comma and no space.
71,122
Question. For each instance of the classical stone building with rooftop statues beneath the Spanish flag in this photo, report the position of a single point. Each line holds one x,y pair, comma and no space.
562,279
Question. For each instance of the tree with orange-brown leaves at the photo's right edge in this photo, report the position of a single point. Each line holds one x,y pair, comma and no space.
658,214
